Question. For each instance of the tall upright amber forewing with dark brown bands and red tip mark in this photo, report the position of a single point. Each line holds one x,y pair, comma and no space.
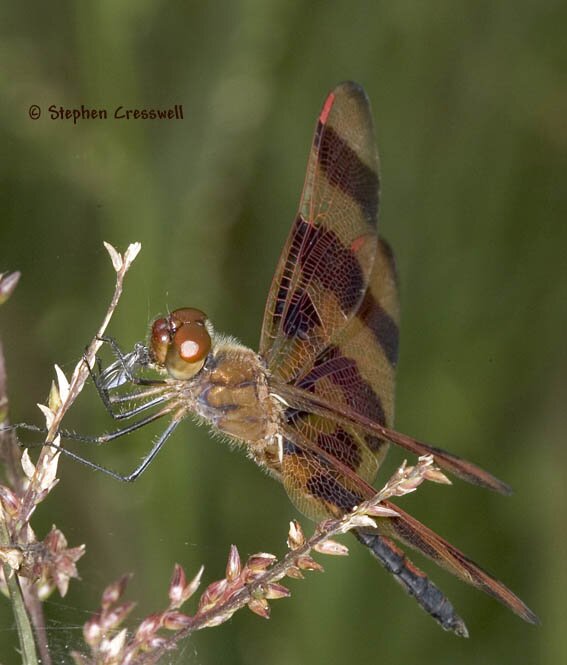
326,262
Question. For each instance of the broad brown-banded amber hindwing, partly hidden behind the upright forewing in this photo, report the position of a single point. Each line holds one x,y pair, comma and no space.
356,370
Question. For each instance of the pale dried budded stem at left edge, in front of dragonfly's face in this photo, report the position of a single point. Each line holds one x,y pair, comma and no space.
28,565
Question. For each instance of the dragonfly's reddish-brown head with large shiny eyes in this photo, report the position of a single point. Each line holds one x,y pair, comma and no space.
180,342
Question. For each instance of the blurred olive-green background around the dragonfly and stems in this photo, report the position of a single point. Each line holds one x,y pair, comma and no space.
470,104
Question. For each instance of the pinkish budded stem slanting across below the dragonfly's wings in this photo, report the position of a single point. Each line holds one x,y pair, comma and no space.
251,585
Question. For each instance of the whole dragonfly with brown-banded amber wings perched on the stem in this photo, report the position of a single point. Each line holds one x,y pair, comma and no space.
314,407
